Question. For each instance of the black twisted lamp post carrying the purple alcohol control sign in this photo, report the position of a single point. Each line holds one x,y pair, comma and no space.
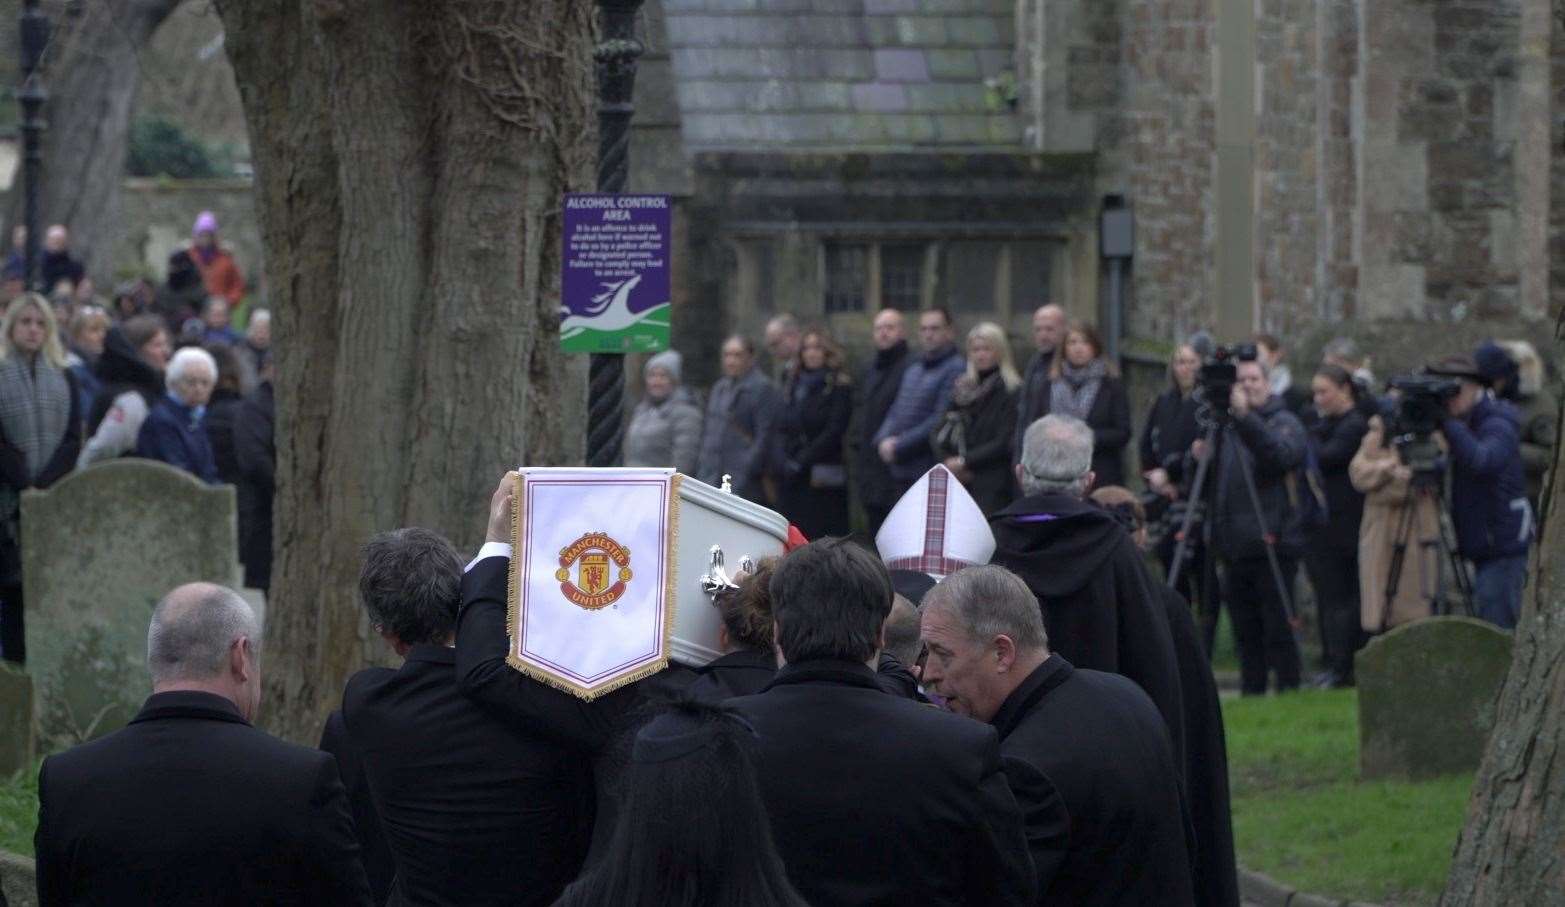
616,59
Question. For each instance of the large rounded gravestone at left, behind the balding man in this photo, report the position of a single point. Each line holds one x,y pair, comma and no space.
99,550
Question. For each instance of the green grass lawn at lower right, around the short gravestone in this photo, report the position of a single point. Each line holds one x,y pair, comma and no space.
1301,816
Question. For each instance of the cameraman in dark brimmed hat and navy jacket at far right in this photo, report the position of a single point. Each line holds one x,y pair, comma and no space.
1489,492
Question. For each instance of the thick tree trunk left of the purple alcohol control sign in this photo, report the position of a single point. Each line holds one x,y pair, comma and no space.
409,163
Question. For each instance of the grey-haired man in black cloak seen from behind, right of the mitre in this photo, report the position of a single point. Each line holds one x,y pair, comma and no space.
1098,603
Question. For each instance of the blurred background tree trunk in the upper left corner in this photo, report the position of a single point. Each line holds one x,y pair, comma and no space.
93,74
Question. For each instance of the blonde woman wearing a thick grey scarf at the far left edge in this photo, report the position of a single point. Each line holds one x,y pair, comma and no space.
40,437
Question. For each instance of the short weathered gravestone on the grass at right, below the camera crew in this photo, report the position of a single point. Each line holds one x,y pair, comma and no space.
1426,697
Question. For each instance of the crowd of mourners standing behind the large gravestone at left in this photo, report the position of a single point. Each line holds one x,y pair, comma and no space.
154,371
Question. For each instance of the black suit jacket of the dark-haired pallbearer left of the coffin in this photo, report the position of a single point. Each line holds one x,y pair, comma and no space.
477,811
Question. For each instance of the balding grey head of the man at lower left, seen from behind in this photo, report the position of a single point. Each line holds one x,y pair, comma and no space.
195,634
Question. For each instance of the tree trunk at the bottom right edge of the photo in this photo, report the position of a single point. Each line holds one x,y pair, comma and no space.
1513,847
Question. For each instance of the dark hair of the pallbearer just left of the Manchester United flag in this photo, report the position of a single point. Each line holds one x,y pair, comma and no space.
411,584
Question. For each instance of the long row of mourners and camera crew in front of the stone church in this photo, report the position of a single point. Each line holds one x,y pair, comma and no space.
1336,493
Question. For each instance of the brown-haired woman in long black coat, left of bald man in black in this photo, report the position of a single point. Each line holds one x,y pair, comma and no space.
808,464
